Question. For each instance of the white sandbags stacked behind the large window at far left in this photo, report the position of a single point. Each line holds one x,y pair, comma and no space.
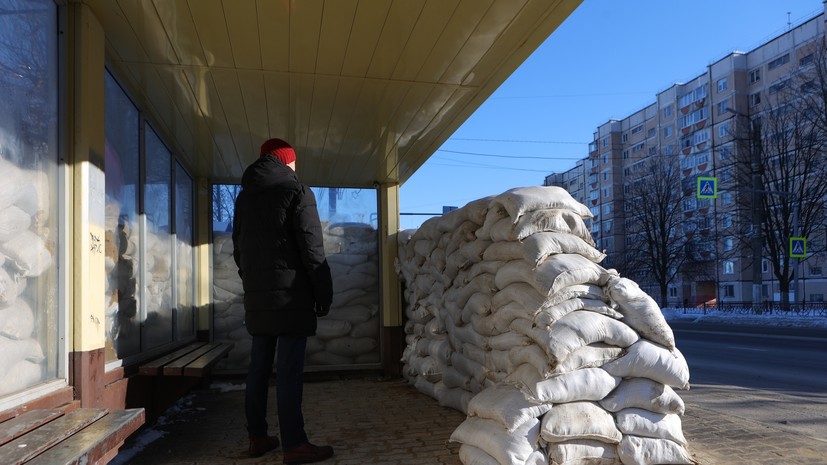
25,254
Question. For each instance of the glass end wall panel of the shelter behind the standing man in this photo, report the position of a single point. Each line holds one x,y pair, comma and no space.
349,335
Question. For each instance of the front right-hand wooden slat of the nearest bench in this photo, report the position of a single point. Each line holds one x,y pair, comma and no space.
93,442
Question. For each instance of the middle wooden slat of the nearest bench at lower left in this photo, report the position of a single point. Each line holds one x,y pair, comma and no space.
36,441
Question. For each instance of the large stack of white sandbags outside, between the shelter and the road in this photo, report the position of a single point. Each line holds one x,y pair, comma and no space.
553,358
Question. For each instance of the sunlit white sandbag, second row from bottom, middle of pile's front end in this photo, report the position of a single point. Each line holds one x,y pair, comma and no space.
579,420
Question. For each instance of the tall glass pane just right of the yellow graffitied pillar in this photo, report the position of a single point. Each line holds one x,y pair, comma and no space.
123,330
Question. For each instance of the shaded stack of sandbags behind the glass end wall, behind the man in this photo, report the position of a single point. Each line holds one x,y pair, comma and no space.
348,335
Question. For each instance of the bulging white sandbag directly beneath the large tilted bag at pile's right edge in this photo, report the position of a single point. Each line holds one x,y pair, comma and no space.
646,359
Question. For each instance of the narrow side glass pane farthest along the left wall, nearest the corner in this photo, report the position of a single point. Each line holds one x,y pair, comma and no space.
185,256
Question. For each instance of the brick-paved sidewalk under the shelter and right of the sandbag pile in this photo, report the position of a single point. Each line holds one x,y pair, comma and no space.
388,422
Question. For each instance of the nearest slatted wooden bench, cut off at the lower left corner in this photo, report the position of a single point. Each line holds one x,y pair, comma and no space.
58,437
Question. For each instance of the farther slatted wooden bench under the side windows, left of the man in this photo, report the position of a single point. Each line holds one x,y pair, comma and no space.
194,360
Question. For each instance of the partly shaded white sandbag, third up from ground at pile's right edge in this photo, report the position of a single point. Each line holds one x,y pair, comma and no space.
646,394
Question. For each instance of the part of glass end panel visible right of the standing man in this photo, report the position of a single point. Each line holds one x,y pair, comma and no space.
350,333
